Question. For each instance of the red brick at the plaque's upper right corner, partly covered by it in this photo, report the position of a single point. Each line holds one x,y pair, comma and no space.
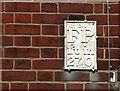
101,19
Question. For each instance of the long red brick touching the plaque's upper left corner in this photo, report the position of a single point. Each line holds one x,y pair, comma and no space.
49,18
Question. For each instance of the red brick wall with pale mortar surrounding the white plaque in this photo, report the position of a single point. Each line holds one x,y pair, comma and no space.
32,45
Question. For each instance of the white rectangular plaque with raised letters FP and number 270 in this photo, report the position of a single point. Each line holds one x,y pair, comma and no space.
80,45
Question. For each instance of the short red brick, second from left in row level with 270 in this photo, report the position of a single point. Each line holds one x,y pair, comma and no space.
22,64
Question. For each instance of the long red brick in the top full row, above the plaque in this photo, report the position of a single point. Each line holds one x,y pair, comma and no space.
75,8
